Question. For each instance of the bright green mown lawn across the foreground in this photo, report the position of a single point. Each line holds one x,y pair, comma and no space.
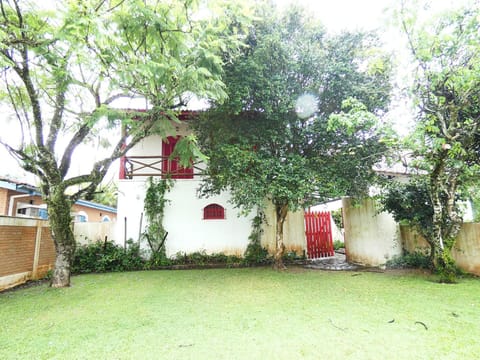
243,314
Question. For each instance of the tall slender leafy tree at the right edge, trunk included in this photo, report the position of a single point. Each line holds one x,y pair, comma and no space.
446,144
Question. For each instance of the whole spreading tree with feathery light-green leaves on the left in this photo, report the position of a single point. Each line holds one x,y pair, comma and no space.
63,68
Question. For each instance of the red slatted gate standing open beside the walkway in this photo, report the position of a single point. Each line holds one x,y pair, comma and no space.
318,231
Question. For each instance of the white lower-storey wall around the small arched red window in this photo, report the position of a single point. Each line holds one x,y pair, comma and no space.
187,230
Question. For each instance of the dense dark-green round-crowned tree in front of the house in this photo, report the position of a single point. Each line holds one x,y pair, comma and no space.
298,123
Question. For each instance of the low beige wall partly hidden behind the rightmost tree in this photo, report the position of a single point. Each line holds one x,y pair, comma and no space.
466,250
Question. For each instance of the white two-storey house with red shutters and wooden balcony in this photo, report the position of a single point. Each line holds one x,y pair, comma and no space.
194,224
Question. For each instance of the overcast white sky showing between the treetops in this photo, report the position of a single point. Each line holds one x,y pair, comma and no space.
336,15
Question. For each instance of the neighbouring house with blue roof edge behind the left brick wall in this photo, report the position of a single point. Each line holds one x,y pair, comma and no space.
24,200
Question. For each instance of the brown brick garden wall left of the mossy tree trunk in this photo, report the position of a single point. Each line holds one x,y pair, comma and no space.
27,251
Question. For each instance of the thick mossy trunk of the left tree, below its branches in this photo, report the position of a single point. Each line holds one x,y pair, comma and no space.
60,225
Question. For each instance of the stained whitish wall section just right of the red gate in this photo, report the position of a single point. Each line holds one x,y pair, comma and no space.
371,238
